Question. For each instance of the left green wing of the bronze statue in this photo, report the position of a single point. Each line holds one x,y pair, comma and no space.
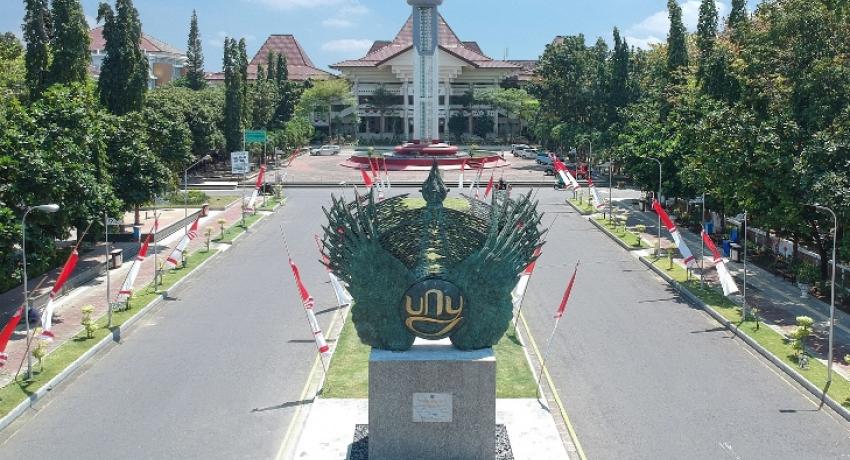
376,279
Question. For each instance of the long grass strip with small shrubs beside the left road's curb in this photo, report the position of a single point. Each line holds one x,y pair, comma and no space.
17,391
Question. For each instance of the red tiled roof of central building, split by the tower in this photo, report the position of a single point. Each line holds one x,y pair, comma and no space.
381,50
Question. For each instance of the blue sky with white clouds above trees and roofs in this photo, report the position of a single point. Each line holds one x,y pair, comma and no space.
334,30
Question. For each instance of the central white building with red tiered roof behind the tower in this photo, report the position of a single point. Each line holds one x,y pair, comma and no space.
389,64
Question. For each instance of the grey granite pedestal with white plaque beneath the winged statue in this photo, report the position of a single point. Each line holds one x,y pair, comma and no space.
432,402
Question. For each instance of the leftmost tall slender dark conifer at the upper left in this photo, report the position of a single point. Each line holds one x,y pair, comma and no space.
37,33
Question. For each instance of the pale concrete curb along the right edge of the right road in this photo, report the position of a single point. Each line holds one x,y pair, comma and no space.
693,299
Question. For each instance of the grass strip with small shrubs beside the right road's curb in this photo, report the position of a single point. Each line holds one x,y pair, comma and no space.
765,336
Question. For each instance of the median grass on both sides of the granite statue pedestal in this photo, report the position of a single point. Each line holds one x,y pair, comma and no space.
348,376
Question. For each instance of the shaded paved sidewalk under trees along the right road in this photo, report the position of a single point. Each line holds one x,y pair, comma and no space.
778,301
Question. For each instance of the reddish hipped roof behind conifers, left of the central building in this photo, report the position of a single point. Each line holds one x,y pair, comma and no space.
298,64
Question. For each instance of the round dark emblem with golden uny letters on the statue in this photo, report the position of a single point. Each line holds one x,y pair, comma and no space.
433,308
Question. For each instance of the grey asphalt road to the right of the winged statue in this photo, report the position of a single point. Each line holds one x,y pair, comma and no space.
644,375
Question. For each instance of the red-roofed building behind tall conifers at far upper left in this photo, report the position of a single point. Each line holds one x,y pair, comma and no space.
165,62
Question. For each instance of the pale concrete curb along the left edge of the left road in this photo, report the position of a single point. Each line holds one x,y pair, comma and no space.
103,343
